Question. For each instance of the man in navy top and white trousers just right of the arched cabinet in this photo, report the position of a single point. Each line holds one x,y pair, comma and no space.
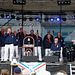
38,46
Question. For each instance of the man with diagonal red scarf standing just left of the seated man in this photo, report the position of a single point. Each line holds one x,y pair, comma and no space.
47,45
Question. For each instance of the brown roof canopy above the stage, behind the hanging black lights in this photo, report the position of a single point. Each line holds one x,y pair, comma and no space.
36,5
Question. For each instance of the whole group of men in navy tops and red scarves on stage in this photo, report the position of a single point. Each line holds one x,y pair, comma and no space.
13,41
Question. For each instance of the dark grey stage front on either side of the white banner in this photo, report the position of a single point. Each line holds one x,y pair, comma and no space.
52,67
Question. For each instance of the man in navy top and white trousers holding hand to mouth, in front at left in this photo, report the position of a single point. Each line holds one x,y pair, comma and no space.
9,44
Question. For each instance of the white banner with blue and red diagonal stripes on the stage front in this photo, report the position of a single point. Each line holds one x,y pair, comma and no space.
33,67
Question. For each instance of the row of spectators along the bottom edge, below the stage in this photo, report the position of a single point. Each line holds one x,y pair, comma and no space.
18,71
